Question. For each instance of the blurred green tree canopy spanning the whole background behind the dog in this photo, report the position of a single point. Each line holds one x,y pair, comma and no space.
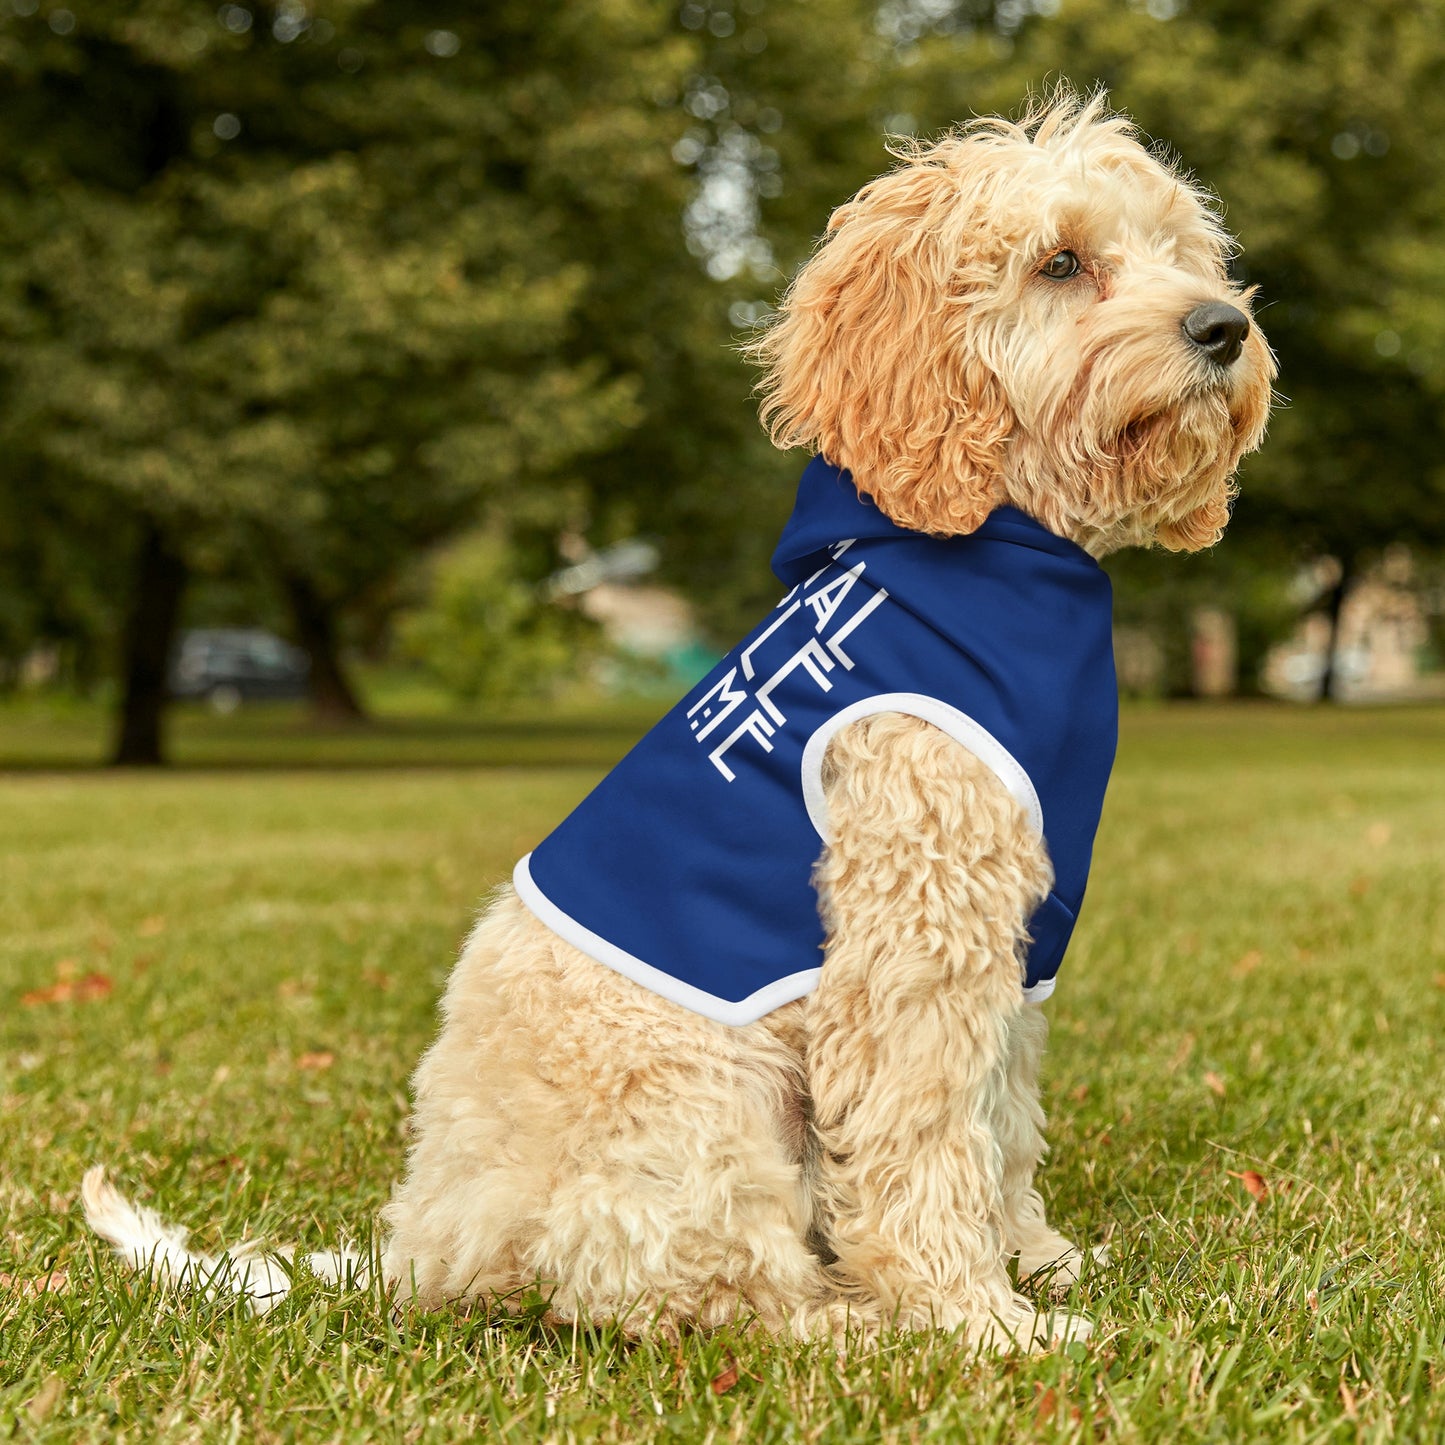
307,290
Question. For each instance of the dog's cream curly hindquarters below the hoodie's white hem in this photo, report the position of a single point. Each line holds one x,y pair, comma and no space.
580,1136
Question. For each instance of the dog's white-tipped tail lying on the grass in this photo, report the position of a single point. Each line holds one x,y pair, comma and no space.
145,1242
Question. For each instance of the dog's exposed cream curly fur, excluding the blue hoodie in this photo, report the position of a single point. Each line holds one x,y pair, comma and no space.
1034,314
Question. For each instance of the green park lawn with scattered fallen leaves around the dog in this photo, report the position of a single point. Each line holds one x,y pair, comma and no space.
217,980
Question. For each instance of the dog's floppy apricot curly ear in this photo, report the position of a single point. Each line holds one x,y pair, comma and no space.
875,362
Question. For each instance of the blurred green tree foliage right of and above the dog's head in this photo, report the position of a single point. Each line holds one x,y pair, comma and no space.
1317,122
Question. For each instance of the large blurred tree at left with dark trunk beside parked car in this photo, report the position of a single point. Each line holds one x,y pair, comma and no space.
303,287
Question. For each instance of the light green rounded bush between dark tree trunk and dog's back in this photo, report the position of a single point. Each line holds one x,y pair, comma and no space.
486,634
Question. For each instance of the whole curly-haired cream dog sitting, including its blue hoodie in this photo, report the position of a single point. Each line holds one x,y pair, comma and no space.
1014,353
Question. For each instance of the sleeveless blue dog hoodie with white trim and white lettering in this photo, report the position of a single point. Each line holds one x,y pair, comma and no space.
690,866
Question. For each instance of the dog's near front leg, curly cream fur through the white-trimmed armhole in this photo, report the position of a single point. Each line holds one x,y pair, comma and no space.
927,888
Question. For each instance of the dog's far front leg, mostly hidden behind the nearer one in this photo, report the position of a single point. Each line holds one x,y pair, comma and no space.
1019,1129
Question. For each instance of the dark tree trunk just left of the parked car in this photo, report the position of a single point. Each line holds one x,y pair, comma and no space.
151,628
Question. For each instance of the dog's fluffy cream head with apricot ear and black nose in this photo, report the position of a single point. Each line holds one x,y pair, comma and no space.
1035,314
